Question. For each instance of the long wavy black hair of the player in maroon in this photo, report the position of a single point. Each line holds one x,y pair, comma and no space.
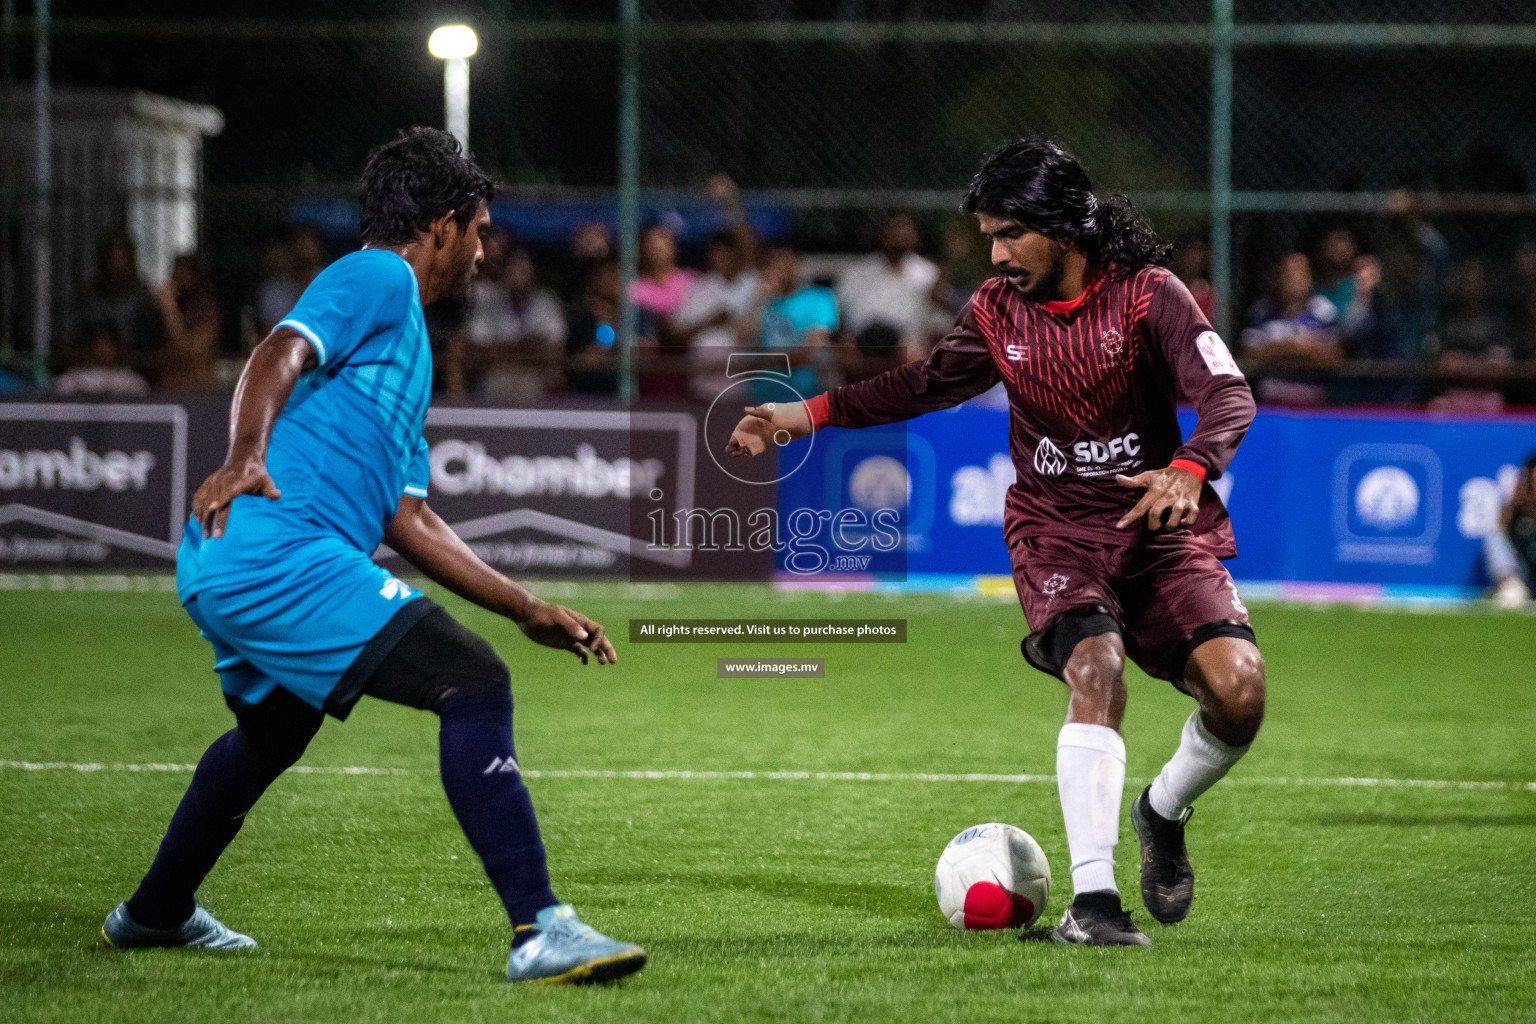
1045,188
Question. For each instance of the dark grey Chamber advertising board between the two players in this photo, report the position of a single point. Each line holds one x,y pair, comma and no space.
583,492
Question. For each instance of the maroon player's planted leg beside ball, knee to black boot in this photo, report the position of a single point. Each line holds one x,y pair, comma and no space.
1091,775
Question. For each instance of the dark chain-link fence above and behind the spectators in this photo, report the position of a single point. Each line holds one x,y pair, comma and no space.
1345,114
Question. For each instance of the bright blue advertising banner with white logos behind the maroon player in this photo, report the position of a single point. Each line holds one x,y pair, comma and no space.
1374,503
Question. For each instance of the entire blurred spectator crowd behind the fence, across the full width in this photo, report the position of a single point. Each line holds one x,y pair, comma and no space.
1348,319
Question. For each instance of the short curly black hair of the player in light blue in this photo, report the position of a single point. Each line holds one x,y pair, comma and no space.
414,180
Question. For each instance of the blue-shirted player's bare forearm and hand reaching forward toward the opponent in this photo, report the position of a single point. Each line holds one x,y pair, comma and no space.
423,540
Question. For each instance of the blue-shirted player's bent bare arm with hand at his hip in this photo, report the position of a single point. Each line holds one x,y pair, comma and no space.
265,388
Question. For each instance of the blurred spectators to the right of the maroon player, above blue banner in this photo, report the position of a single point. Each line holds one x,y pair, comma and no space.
1403,323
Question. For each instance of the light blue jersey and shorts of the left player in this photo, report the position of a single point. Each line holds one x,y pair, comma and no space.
290,596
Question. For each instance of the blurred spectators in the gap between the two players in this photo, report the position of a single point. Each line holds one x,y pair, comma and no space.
836,320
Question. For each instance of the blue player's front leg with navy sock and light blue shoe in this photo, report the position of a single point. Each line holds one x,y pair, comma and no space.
442,667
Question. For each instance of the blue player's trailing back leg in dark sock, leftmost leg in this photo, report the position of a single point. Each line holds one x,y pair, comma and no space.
228,782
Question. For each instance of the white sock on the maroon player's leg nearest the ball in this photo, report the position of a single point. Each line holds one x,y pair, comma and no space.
1091,778
